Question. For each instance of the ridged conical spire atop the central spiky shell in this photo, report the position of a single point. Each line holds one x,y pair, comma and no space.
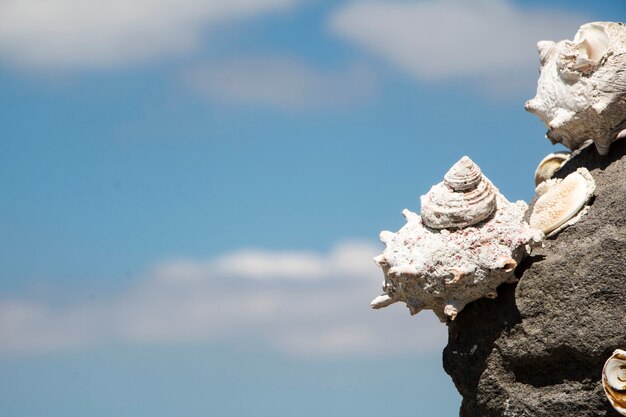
464,198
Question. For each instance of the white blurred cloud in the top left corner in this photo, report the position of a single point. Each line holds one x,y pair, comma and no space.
74,34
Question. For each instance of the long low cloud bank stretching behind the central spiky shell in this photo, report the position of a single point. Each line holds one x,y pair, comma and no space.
321,309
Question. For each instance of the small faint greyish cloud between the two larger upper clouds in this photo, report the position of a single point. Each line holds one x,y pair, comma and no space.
281,82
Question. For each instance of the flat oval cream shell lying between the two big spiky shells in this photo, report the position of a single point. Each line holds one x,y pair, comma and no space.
560,200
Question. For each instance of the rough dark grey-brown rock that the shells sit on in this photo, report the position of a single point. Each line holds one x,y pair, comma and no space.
538,349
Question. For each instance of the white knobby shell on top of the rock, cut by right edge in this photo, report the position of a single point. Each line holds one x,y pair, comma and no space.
581,92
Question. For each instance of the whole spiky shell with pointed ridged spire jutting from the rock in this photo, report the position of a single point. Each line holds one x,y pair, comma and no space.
444,269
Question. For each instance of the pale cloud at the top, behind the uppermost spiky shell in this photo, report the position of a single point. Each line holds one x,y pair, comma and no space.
445,39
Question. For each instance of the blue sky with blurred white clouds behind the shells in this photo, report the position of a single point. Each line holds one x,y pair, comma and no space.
192,193
